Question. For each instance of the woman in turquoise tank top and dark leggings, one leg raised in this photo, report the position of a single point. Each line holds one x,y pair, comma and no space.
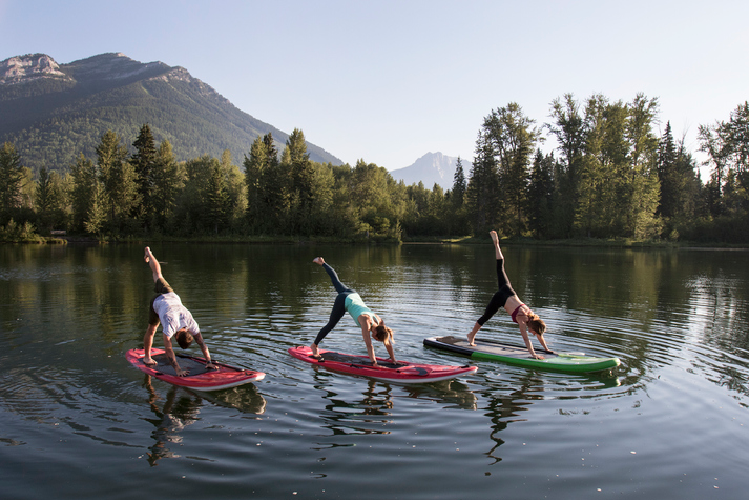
349,301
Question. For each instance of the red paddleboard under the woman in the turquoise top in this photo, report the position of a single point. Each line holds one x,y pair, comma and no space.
402,372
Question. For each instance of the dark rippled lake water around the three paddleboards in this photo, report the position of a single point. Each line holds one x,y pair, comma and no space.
671,423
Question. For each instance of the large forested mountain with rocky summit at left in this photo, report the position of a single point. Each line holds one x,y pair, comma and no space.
53,112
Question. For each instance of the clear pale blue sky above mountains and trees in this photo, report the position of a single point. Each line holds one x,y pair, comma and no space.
390,81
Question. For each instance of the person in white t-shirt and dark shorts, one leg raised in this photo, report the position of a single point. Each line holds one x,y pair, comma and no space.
166,308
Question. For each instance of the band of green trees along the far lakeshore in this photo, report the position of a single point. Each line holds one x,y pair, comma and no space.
610,176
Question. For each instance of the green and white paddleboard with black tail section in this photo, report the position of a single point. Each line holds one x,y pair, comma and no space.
519,355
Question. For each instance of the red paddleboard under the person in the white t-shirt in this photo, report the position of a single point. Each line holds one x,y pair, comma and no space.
199,377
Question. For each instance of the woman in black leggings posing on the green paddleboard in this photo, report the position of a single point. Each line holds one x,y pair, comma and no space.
520,313
